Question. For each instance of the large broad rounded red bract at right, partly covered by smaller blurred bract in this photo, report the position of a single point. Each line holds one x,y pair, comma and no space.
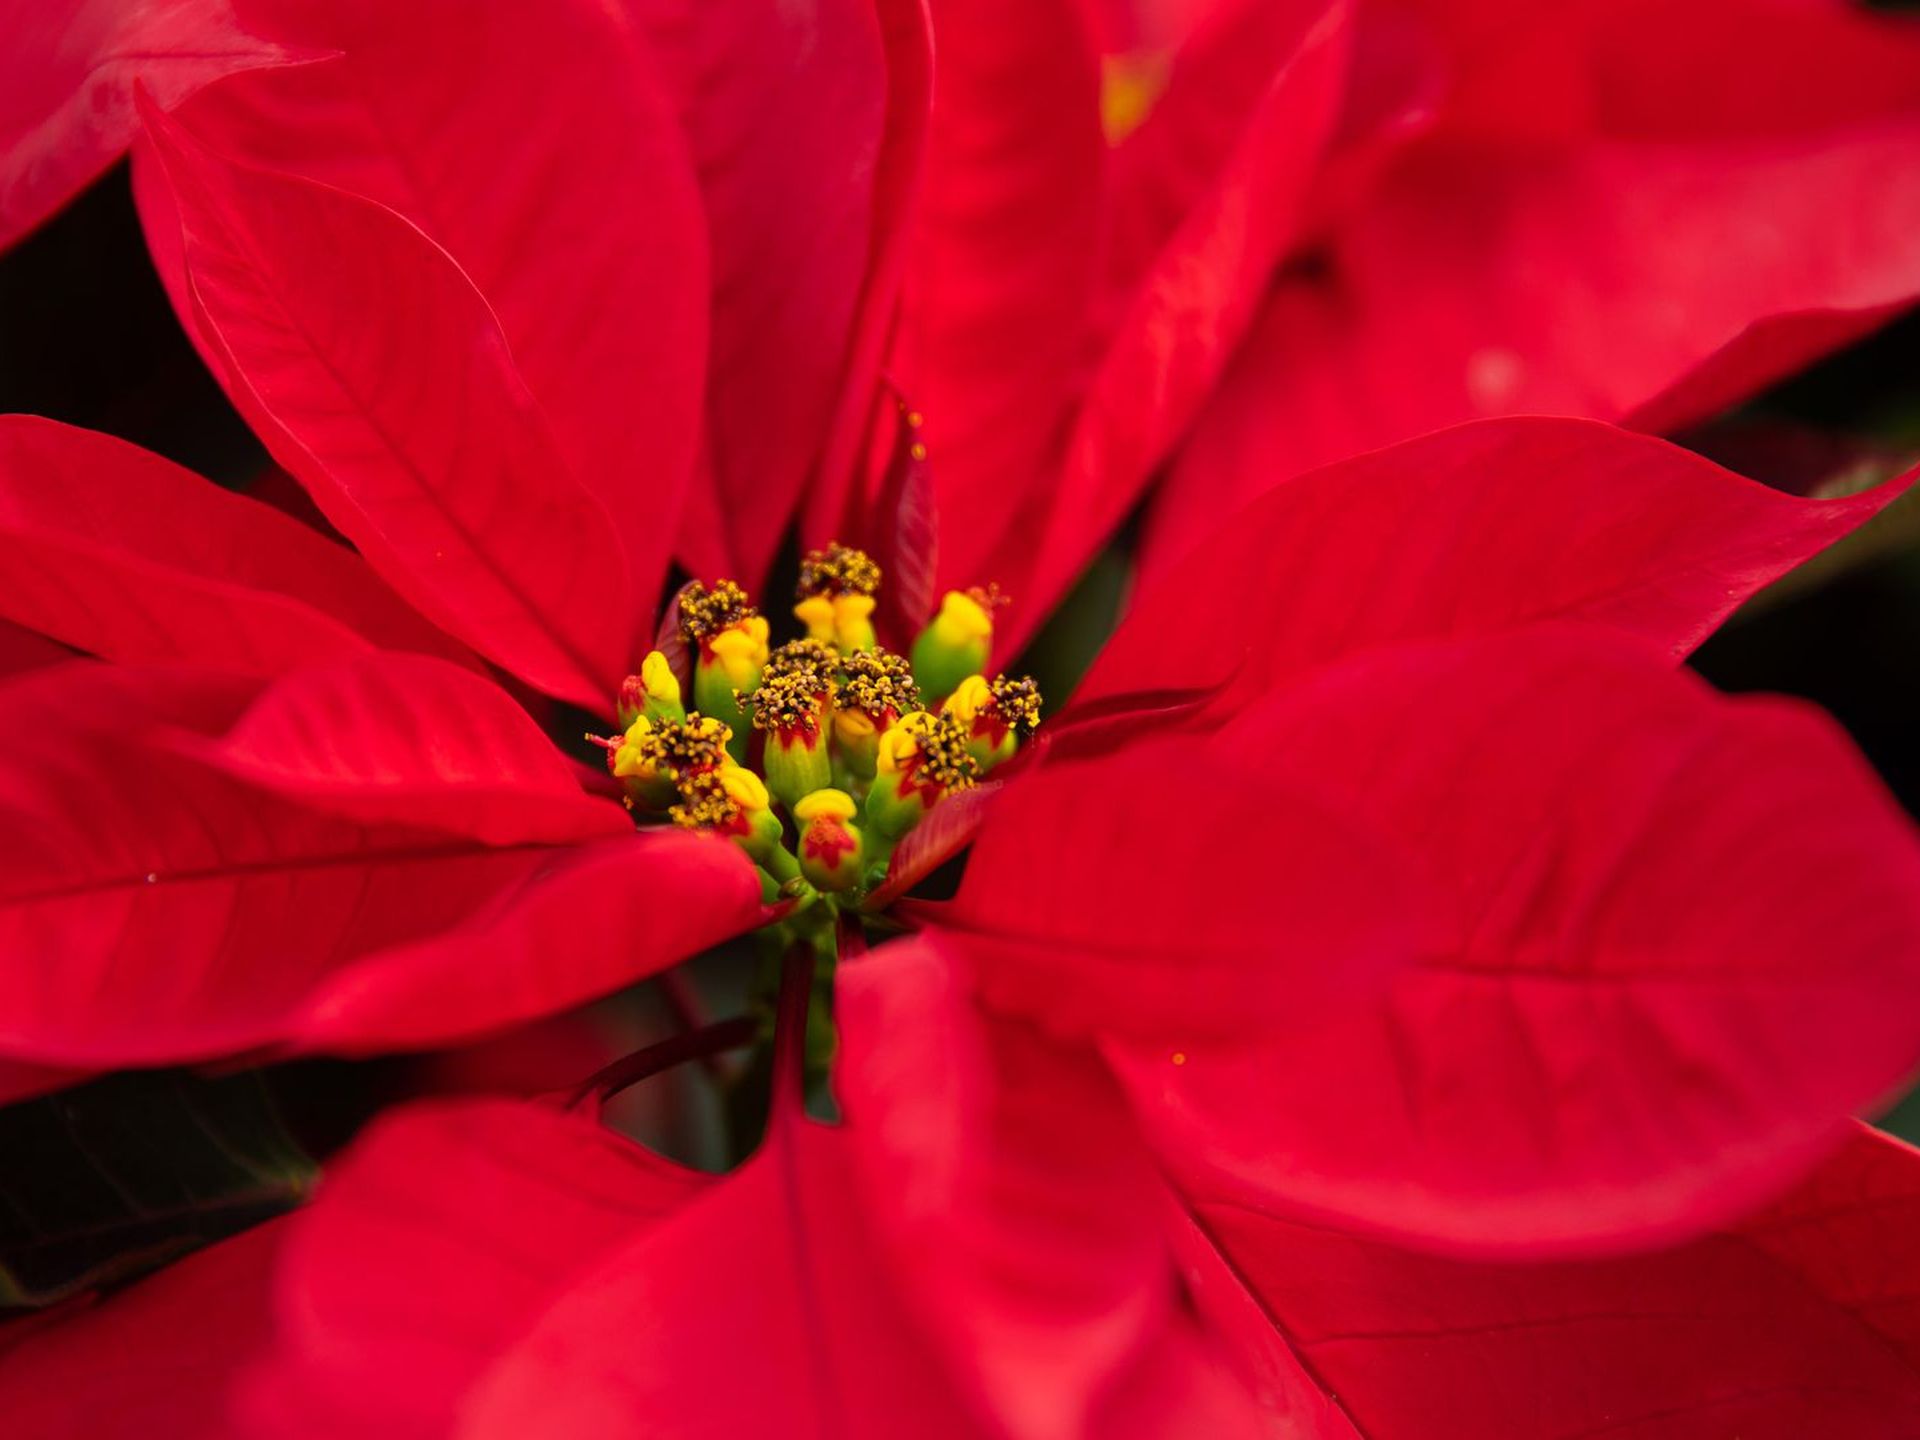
1685,948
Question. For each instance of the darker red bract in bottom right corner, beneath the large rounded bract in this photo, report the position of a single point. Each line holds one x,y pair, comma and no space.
1794,1326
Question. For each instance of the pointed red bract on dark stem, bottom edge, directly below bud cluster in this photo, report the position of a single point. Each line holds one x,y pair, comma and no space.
775,1262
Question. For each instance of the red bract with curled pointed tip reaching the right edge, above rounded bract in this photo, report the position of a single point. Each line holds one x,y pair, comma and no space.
1474,531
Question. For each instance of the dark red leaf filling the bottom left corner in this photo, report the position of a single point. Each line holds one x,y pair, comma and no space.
155,1360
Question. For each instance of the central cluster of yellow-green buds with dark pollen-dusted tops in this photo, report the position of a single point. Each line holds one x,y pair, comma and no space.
821,754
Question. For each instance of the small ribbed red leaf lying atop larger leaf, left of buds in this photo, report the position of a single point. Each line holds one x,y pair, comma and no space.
404,740
